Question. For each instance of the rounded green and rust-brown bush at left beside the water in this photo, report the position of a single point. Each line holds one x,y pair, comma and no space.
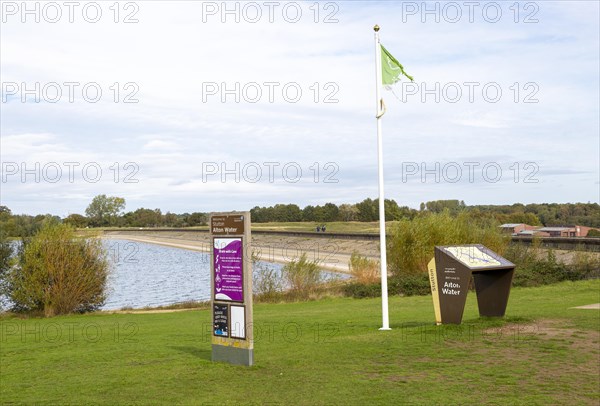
58,273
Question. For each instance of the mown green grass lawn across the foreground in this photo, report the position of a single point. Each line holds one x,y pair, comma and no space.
324,352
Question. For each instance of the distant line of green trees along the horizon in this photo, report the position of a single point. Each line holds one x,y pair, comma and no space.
109,211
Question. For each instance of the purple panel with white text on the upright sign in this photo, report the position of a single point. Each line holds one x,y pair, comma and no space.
229,276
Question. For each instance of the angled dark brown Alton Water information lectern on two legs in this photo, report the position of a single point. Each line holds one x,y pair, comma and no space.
449,276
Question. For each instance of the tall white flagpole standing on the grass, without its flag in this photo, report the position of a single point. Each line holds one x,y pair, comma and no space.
382,242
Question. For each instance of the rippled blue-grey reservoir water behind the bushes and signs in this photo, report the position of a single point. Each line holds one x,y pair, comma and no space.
149,275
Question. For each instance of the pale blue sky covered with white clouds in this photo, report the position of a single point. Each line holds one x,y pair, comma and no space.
210,106
